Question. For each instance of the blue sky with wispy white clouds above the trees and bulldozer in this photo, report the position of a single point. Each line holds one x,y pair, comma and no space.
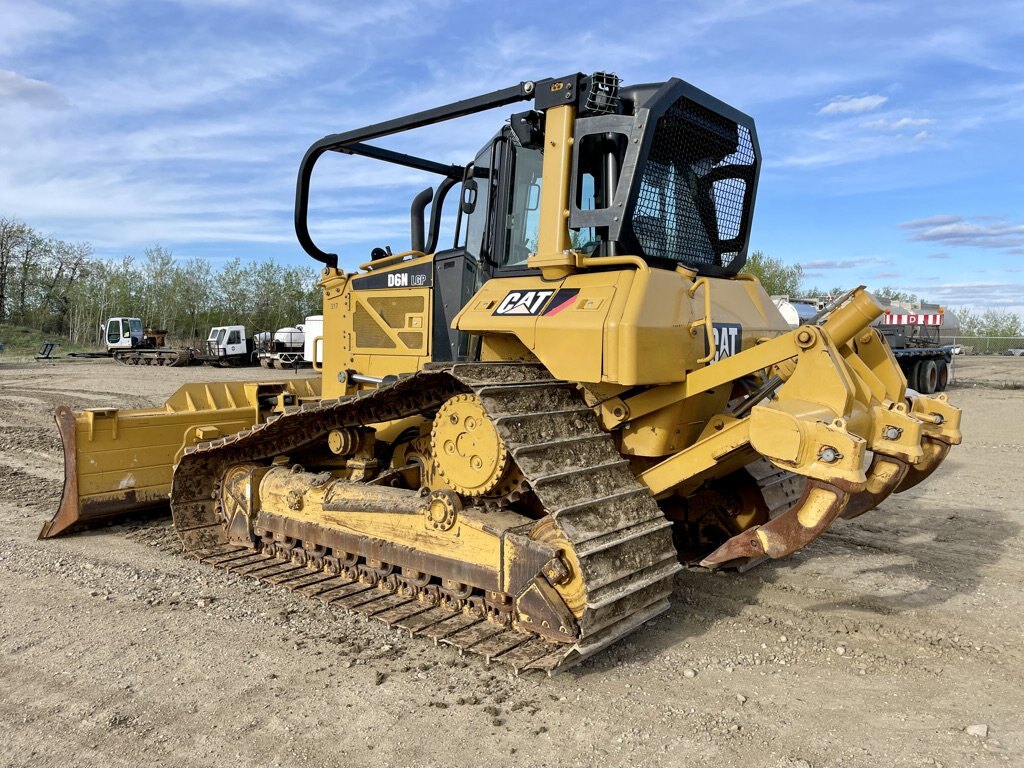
893,133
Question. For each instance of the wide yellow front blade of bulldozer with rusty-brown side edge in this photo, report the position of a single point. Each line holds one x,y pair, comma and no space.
117,462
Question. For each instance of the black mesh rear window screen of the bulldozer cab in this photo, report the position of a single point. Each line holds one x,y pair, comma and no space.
694,194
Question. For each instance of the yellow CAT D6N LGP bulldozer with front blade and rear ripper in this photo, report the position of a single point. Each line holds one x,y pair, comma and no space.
514,443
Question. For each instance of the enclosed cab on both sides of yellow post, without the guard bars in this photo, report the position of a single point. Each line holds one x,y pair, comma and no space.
690,203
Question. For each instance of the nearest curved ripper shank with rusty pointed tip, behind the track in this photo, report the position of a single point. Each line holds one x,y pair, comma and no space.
794,530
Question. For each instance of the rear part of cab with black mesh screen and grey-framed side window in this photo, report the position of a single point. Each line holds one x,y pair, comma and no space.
688,177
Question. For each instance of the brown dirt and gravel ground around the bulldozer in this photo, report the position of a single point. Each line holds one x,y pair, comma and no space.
879,646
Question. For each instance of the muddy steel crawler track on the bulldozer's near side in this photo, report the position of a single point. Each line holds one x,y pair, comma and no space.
615,530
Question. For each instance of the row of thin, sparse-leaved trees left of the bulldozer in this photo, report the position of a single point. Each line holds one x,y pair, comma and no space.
64,289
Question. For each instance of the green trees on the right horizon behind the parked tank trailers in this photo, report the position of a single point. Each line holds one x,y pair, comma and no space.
781,279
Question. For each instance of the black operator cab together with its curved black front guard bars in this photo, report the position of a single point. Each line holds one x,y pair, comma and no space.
661,172
